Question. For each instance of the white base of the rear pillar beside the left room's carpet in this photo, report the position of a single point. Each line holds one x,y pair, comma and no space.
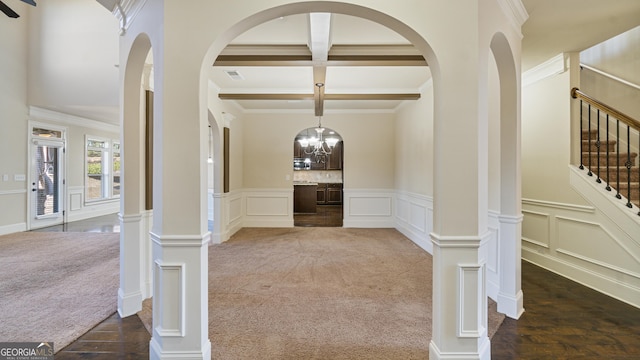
130,293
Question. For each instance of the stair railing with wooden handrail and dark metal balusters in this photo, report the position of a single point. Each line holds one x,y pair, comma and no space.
594,145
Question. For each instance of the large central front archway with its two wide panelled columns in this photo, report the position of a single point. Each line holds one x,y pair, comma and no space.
179,250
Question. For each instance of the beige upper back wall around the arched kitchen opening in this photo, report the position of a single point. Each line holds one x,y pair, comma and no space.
369,148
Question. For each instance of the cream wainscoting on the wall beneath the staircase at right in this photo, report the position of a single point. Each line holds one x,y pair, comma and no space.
584,244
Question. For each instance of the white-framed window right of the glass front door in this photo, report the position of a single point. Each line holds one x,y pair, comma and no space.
103,169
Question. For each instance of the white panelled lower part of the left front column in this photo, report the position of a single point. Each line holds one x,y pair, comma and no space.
180,304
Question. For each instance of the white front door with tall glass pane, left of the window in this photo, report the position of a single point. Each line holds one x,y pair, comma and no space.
47,180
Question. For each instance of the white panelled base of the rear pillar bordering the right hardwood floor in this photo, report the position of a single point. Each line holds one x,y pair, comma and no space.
510,300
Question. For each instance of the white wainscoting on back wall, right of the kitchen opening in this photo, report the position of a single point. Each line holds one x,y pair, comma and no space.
368,208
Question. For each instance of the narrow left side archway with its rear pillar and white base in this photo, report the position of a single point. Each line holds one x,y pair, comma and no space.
135,204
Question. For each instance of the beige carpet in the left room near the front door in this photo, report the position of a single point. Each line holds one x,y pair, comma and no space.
56,286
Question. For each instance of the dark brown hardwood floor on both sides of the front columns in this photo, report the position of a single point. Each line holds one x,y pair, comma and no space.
562,320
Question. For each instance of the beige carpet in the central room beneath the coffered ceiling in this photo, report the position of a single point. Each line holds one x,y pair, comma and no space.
320,293
